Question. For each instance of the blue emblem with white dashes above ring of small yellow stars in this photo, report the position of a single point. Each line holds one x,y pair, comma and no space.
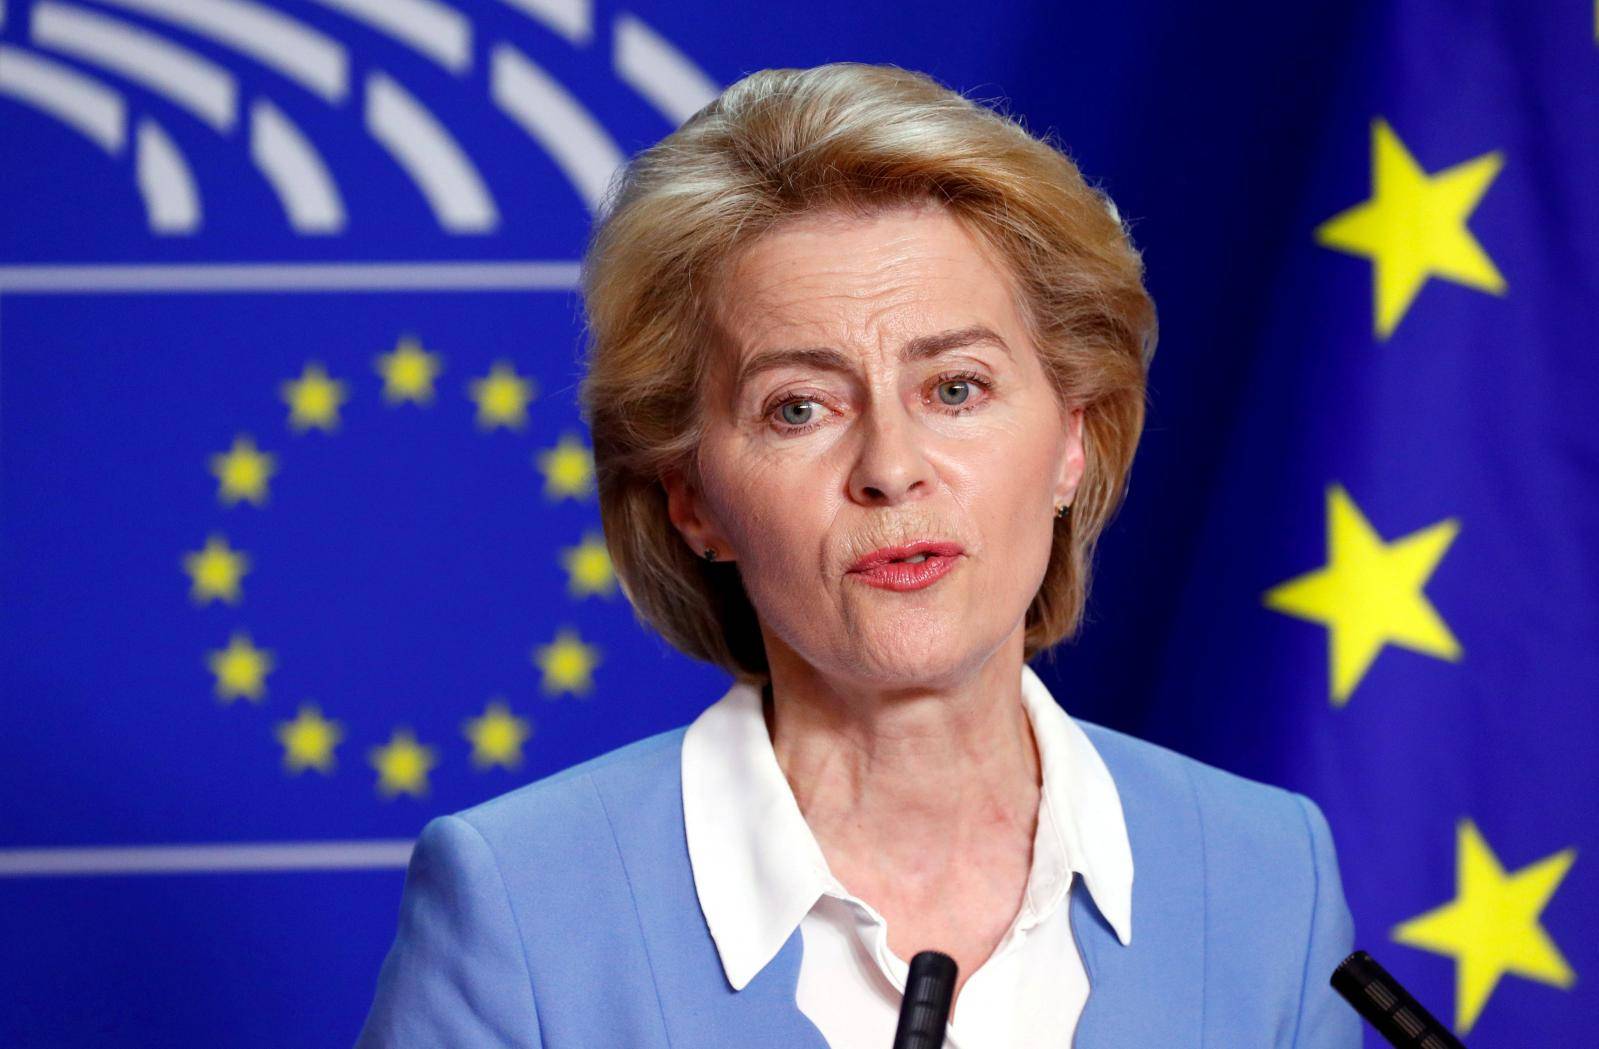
300,517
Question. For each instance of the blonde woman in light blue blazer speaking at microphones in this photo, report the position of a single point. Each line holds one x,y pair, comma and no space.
867,373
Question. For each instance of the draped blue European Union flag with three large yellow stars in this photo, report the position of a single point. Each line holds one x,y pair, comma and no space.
1395,596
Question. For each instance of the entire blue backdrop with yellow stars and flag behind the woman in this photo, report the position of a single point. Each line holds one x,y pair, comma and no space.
298,541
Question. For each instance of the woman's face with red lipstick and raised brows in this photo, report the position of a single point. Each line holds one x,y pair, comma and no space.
874,386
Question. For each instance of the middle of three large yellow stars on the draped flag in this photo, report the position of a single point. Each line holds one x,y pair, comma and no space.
1370,594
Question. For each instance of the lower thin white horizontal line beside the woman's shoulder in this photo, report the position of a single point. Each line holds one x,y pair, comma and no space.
194,860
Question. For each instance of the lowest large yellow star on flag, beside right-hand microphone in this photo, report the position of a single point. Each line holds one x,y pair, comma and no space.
1493,928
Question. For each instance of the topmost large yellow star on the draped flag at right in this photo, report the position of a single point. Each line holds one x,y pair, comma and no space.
1416,228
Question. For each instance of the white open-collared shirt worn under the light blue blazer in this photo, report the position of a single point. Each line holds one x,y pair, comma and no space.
760,872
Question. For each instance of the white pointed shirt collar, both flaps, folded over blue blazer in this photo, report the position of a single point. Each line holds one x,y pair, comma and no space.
759,869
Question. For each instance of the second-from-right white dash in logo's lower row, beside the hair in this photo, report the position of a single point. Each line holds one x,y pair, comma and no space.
581,148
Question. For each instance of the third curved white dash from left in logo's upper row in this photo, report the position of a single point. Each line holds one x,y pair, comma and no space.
316,62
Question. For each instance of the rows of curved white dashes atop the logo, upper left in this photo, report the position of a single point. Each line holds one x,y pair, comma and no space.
121,82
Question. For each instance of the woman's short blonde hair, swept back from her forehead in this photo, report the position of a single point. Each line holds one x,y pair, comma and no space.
788,142
